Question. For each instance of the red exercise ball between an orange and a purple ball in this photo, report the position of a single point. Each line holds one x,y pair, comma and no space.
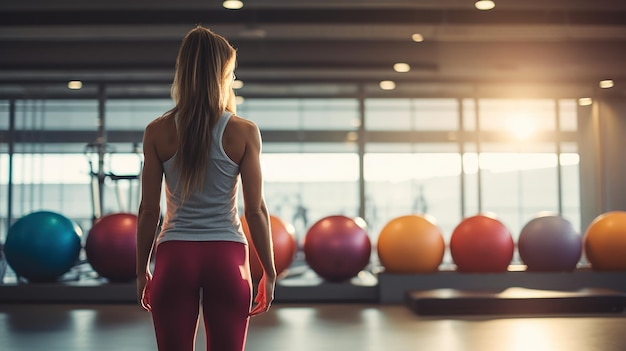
481,244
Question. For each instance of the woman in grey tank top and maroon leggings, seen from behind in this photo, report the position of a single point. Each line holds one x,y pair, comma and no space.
201,255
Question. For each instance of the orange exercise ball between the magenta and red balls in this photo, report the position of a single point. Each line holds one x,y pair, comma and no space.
410,244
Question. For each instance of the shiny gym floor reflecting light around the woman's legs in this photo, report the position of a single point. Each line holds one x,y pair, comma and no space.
304,327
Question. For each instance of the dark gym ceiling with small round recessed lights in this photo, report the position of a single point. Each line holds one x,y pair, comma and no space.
319,48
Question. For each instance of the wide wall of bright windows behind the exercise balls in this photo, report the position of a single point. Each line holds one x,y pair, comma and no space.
448,158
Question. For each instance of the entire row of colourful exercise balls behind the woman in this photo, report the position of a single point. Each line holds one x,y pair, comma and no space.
44,245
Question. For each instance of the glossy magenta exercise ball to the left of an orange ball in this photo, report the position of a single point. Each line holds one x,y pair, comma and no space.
337,247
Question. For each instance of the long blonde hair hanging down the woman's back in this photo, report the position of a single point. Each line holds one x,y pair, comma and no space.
201,93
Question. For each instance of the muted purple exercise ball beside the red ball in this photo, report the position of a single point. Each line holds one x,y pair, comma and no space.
549,243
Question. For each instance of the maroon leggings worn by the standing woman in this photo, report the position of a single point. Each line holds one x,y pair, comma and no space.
214,274
